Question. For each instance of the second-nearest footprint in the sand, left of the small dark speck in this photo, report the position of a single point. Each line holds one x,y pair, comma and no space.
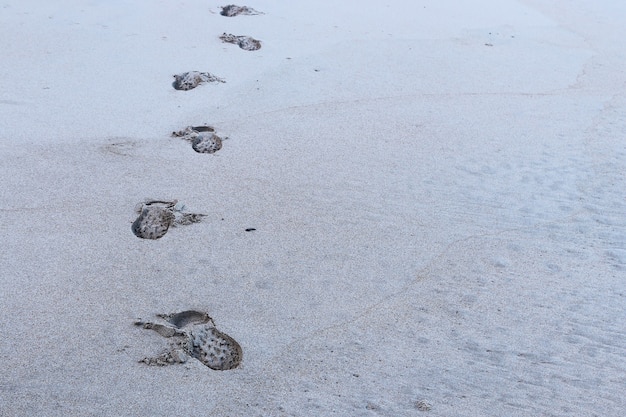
156,217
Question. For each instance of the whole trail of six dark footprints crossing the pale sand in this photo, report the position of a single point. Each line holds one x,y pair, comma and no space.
192,333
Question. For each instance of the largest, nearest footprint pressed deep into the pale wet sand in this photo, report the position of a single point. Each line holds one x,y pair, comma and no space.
194,336
